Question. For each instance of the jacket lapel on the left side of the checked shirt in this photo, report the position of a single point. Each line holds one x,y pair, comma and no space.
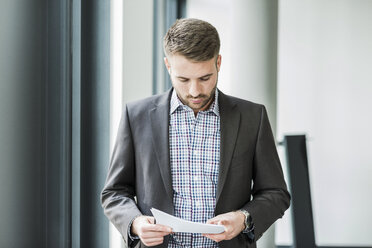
159,116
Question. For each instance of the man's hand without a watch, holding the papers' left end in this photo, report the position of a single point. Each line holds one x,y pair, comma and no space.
151,234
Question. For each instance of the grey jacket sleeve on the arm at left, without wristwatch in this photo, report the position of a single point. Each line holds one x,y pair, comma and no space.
118,194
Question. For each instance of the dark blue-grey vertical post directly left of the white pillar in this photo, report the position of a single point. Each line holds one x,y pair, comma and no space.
95,120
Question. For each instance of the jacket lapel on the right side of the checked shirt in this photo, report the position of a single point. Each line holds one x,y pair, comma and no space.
230,122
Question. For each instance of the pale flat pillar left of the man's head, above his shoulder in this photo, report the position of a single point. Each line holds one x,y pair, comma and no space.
137,49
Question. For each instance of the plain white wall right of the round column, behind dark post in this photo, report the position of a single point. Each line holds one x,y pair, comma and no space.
325,90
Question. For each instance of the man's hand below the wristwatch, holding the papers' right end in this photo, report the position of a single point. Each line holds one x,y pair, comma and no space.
233,222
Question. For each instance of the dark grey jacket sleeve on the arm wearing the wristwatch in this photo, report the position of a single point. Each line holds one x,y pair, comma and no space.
270,195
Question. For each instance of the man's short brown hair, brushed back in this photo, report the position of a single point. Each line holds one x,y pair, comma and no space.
193,38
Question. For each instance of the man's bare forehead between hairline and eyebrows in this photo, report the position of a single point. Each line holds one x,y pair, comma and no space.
183,67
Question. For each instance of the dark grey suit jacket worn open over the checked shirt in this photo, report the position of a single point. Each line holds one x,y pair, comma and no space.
250,174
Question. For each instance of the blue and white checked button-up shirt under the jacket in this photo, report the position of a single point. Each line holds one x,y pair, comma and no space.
194,159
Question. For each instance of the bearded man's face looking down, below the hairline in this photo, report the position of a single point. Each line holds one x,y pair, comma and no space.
194,82
